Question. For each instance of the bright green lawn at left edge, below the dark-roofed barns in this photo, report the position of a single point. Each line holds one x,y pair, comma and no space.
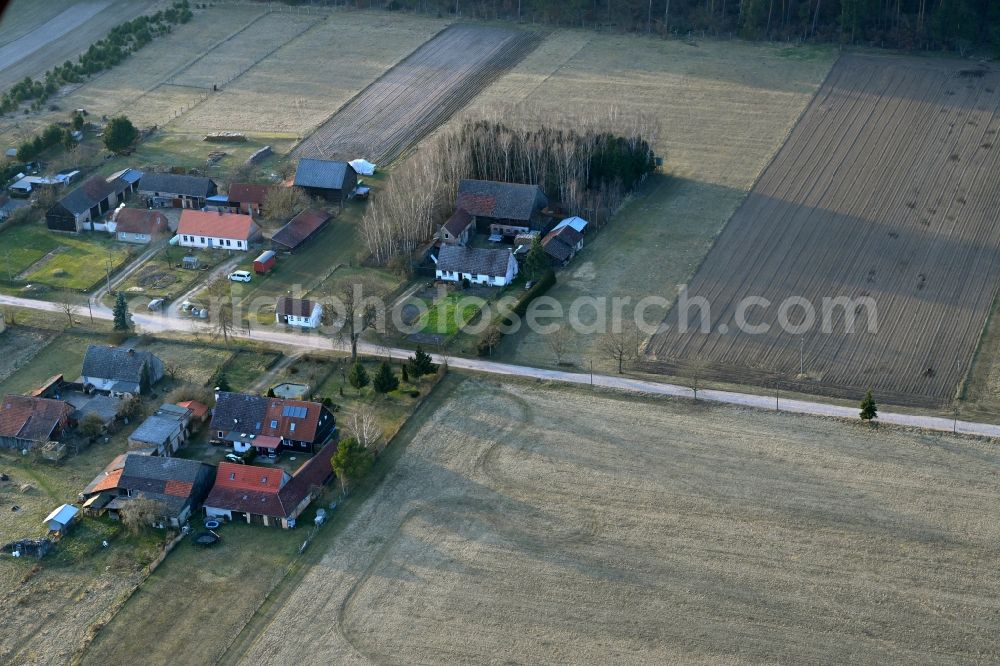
38,256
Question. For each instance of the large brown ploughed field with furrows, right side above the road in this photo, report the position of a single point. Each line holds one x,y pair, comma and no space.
886,190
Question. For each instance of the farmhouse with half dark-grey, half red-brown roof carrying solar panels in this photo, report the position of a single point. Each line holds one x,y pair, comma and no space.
270,424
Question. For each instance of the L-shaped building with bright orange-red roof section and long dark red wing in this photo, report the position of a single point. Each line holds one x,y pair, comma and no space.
267,495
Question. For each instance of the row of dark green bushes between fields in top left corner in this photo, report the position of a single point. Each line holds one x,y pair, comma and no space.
123,40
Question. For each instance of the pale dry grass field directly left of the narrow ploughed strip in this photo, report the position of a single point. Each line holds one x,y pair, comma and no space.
296,88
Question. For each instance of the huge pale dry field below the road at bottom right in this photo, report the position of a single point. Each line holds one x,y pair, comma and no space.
523,525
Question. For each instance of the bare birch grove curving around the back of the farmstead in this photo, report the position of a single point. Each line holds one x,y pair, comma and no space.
587,164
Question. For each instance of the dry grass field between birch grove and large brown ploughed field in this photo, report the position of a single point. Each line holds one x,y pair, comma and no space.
724,109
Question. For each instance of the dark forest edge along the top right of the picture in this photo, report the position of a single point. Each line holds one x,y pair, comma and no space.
952,25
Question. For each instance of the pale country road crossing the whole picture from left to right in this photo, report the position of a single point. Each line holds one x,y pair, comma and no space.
153,323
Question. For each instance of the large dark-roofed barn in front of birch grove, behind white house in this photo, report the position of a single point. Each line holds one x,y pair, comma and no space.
503,209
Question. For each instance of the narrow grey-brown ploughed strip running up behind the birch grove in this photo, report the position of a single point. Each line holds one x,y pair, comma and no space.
419,93
